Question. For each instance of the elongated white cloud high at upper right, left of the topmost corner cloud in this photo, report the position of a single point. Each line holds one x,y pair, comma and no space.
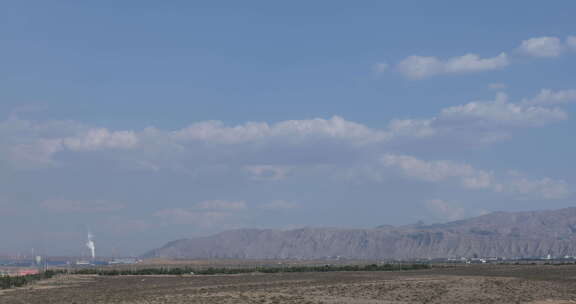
418,67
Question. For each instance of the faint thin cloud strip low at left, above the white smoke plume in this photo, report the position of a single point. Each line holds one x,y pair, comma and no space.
82,206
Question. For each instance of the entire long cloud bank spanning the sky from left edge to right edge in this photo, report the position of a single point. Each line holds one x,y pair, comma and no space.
269,152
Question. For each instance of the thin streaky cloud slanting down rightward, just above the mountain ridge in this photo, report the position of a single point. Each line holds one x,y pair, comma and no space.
469,177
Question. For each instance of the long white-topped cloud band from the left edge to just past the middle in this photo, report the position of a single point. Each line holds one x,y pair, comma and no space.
29,144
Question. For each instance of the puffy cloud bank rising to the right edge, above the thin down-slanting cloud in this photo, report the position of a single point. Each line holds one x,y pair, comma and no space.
485,121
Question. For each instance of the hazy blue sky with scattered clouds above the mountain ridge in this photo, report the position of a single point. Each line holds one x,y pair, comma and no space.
143,122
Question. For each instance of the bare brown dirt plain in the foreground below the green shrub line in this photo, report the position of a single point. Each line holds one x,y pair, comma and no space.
463,284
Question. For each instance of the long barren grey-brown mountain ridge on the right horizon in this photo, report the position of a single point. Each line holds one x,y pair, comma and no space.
500,234
